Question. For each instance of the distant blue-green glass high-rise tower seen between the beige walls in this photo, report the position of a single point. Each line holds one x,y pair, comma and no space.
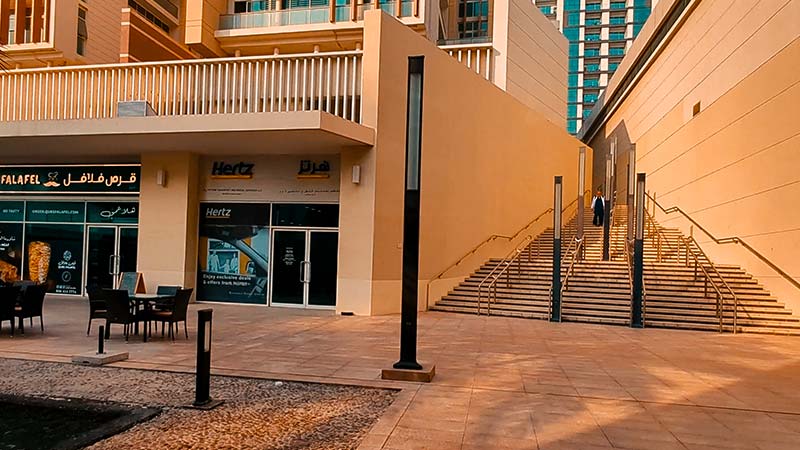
599,34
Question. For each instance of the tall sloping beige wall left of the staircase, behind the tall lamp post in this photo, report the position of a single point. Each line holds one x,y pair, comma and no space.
488,166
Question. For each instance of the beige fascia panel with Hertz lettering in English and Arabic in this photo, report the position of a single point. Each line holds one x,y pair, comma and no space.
272,178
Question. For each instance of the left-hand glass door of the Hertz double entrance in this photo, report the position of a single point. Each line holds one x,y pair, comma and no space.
289,267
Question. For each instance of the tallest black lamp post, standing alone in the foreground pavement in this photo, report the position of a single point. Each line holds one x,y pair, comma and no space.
408,326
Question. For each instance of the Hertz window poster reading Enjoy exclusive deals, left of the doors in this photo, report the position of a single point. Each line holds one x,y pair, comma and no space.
233,258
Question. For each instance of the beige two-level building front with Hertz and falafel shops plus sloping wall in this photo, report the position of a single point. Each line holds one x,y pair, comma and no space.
276,179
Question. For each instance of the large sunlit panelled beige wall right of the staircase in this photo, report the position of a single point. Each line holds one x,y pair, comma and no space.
733,166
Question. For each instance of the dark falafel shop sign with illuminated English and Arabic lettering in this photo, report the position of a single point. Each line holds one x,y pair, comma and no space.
92,179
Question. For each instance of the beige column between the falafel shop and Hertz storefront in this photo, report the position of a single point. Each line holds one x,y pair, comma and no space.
168,220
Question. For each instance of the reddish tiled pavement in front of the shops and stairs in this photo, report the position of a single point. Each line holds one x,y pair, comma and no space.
501,383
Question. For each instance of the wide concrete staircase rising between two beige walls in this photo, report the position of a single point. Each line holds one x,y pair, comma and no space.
599,291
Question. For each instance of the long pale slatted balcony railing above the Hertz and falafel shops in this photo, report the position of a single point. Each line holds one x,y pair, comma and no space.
329,82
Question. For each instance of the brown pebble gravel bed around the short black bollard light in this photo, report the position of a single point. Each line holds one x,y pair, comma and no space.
257,414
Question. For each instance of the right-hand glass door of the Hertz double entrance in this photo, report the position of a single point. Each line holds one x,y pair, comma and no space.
323,265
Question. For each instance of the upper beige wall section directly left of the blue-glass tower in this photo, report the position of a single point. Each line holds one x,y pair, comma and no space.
531,58
